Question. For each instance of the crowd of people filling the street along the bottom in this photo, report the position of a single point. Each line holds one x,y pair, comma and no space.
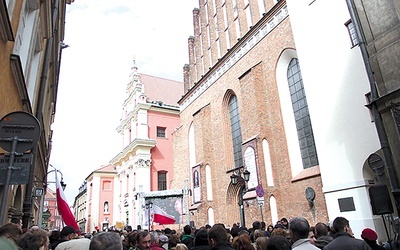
295,234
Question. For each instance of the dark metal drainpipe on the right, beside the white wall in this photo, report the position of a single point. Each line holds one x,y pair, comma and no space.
387,153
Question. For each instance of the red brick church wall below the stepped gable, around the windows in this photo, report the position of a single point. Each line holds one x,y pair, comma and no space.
252,78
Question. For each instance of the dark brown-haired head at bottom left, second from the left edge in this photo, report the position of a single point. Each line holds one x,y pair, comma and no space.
33,239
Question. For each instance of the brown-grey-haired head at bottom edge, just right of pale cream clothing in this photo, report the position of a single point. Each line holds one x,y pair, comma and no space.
106,241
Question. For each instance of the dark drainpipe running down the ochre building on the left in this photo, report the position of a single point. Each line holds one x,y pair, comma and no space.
27,206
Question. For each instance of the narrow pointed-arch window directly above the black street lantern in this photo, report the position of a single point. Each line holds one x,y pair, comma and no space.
236,131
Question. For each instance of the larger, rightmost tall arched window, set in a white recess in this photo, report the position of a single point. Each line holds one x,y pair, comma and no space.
301,115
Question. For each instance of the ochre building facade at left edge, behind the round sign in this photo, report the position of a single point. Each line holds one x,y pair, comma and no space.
31,41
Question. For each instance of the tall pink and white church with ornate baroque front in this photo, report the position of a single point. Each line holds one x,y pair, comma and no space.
144,164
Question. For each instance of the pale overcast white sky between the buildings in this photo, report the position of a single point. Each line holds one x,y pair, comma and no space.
105,37
